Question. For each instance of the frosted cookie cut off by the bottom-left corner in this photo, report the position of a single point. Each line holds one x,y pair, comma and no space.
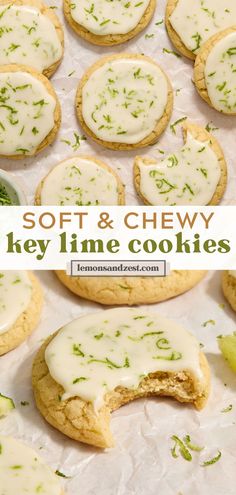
23,471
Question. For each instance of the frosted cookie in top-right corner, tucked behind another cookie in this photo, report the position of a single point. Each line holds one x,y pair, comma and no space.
192,22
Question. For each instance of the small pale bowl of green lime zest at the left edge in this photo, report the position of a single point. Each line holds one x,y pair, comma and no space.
13,189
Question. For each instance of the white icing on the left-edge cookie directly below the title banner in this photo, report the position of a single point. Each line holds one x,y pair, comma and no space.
15,296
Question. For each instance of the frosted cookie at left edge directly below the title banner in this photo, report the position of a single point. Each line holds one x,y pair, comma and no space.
20,307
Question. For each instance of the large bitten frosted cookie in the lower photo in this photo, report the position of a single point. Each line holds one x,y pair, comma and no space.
99,362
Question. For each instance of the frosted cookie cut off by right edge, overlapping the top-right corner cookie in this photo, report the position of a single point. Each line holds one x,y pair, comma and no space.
215,71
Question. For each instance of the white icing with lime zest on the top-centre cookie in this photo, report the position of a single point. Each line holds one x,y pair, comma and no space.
104,17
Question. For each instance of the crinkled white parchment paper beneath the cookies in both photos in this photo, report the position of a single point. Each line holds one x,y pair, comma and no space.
141,463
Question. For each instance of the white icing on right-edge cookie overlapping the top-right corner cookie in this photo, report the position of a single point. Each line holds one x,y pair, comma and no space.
220,74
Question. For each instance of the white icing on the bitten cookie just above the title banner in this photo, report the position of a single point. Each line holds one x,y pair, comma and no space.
190,176
